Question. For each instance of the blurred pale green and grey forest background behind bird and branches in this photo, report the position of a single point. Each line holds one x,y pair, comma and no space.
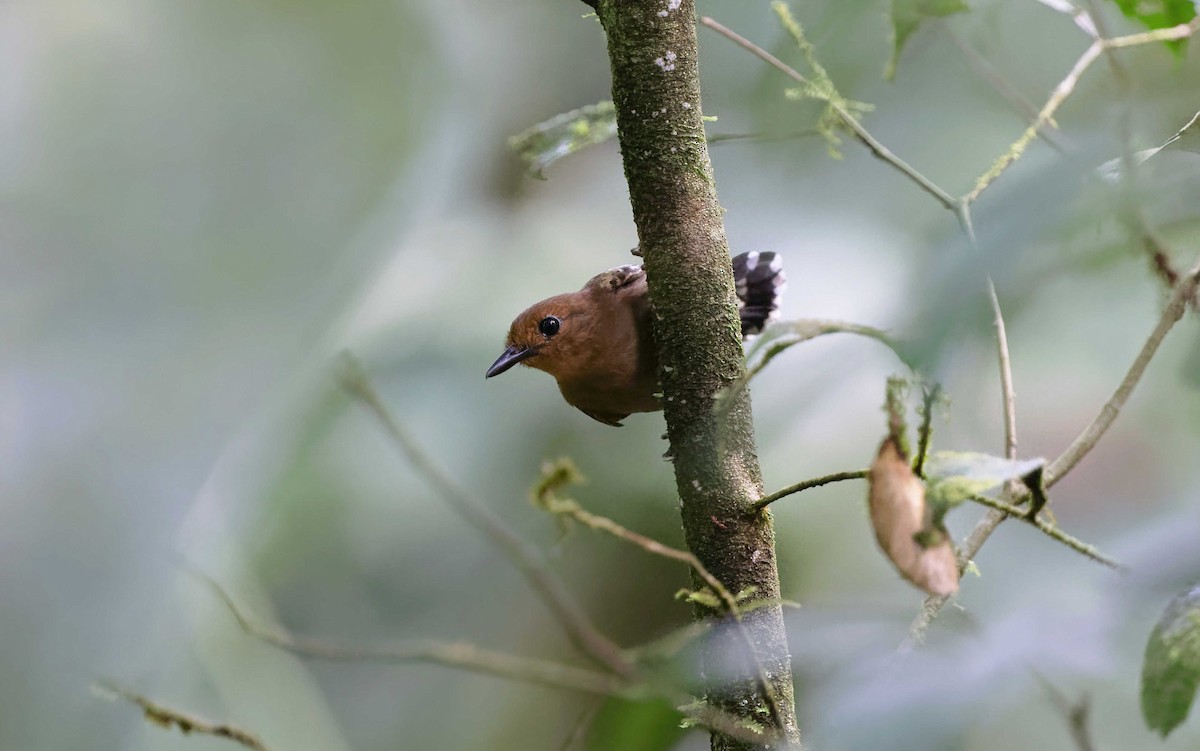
203,203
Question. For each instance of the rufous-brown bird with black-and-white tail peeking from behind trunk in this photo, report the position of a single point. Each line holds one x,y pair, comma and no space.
598,343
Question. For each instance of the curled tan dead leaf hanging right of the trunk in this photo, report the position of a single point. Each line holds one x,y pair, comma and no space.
920,550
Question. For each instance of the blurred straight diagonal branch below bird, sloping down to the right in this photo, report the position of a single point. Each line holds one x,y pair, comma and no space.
579,628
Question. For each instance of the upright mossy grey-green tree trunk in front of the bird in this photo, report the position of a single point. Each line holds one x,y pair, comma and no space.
652,47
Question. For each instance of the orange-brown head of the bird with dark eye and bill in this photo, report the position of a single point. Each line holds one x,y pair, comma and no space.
541,337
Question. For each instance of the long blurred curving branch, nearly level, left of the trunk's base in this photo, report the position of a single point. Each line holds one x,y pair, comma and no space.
452,654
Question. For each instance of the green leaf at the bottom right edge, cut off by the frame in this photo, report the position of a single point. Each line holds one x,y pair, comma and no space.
1172,669
